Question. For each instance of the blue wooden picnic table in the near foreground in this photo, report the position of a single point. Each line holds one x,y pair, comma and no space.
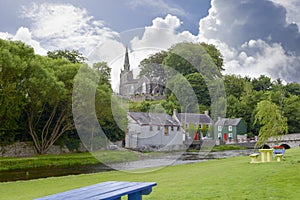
111,190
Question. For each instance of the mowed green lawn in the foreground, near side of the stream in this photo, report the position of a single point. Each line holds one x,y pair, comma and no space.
232,178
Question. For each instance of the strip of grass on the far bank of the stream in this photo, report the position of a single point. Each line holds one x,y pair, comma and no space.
66,160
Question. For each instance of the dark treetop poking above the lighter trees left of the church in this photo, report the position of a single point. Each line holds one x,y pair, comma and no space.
71,55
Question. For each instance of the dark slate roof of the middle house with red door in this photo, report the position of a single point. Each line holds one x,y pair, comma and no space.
194,118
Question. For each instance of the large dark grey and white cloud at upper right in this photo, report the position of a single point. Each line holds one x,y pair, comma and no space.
254,37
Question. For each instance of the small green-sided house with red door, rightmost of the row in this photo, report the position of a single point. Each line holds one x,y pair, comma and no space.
230,130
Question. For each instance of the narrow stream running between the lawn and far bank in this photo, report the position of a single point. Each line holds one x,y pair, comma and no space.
154,162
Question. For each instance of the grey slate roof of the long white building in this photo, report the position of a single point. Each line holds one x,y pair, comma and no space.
153,119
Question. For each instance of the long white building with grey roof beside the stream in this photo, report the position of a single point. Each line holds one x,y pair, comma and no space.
153,131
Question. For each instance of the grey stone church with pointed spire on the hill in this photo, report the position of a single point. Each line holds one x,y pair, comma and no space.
144,88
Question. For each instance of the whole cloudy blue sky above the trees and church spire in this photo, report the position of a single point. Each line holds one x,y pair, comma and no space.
254,36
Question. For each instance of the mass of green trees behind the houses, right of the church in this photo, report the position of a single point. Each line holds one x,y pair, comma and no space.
200,67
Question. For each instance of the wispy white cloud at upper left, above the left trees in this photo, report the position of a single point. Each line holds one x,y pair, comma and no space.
64,26
